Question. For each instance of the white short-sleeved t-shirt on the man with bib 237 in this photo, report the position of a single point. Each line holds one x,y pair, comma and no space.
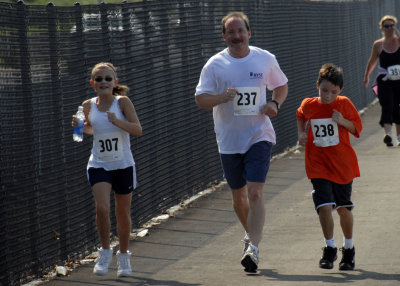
238,125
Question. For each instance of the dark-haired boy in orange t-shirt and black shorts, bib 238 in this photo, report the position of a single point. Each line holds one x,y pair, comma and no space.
330,160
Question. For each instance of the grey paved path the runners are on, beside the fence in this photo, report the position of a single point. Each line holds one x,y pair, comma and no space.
202,245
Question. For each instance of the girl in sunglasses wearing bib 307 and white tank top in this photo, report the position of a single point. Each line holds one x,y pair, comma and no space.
111,119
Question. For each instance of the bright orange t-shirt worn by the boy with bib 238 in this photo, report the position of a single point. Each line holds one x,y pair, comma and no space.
337,162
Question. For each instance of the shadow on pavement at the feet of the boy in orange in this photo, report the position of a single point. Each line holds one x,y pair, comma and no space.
330,277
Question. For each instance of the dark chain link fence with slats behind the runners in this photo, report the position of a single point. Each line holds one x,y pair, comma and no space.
46,55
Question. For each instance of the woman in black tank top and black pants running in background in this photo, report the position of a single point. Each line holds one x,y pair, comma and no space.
387,51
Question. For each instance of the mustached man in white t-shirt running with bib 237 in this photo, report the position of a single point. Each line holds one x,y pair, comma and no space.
233,83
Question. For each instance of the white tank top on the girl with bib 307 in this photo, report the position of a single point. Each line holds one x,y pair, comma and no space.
111,145
